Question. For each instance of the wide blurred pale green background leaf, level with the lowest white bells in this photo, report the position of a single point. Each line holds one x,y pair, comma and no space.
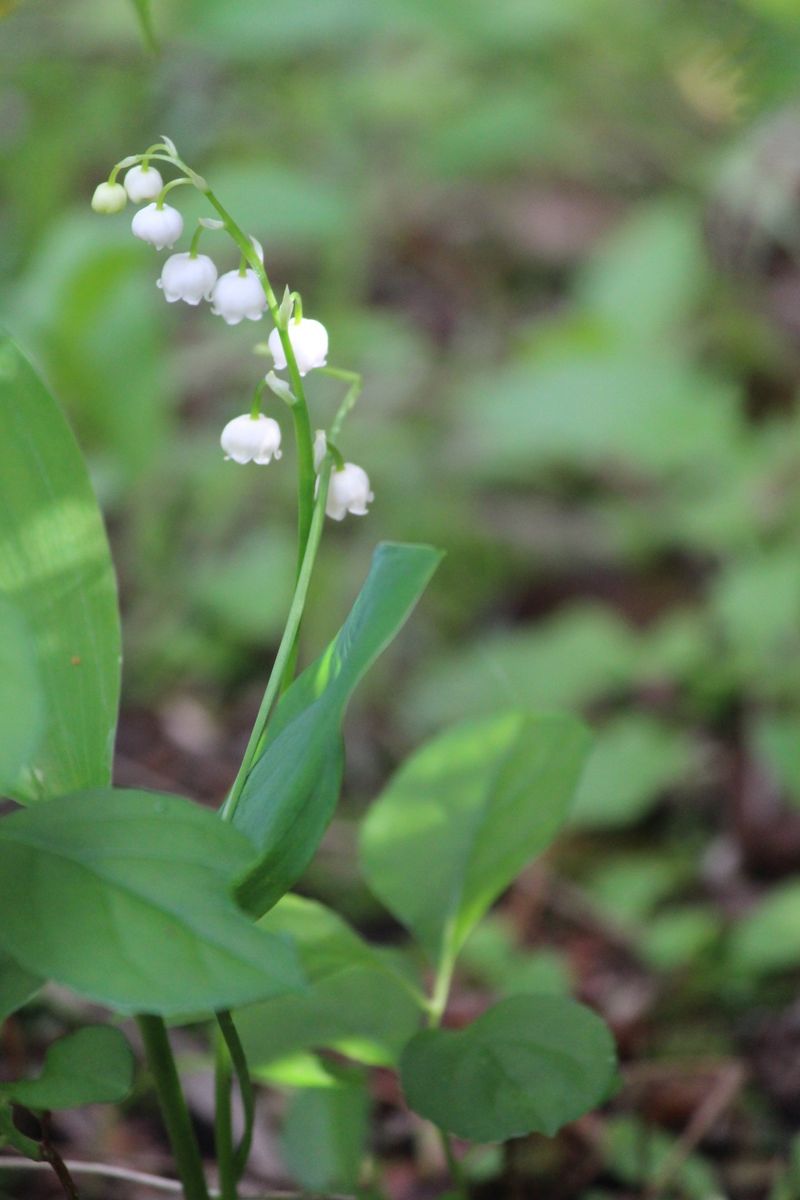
597,411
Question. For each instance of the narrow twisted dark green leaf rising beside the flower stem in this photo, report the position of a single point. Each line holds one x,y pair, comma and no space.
291,795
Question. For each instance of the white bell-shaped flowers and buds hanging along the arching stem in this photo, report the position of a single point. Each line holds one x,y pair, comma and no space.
234,296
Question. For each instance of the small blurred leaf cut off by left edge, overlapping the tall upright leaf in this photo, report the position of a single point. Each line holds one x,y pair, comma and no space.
21,695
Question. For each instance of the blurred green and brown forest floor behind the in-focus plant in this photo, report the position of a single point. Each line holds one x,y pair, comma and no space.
561,239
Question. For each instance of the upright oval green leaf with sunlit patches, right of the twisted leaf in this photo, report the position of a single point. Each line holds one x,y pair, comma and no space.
462,818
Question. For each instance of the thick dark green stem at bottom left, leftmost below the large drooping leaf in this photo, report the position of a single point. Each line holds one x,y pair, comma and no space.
173,1107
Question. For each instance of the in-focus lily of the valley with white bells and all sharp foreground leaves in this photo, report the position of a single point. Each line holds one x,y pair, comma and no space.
163,911
